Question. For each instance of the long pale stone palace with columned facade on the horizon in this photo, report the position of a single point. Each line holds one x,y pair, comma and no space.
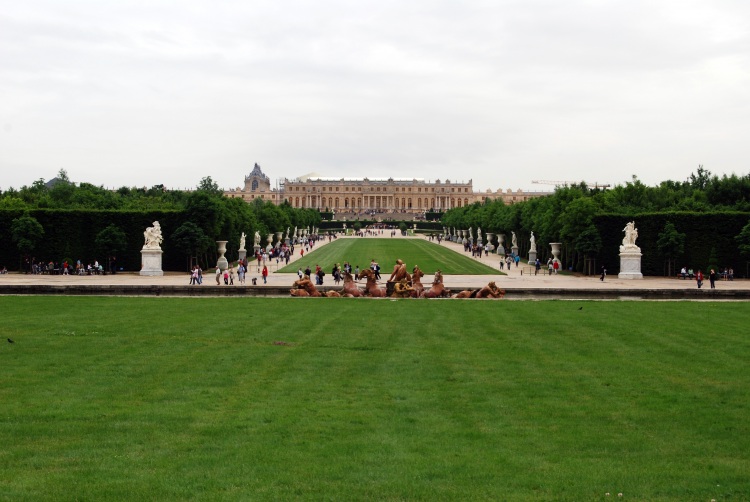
398,195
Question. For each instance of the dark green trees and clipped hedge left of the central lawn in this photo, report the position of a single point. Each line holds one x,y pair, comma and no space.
80,221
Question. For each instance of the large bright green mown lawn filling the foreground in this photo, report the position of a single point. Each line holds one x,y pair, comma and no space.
349,399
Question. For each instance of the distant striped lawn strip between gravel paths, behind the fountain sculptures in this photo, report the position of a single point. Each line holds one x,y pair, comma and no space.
428,255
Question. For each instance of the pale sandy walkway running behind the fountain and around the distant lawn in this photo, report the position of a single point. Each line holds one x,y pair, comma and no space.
514,280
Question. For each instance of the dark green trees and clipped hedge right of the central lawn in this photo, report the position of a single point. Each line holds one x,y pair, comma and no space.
703,222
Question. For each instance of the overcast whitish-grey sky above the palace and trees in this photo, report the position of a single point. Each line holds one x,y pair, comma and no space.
502,92
